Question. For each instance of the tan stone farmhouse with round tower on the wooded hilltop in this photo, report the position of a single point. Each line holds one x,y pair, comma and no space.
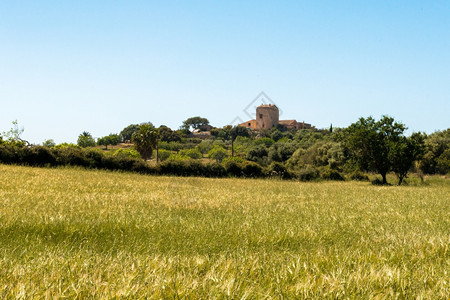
268,116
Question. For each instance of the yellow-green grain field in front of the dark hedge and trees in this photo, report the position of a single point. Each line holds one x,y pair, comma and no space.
97,234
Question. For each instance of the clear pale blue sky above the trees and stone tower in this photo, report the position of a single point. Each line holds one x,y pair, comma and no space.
70,66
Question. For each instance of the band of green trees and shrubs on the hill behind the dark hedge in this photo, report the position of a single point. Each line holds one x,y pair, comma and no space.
367,145
